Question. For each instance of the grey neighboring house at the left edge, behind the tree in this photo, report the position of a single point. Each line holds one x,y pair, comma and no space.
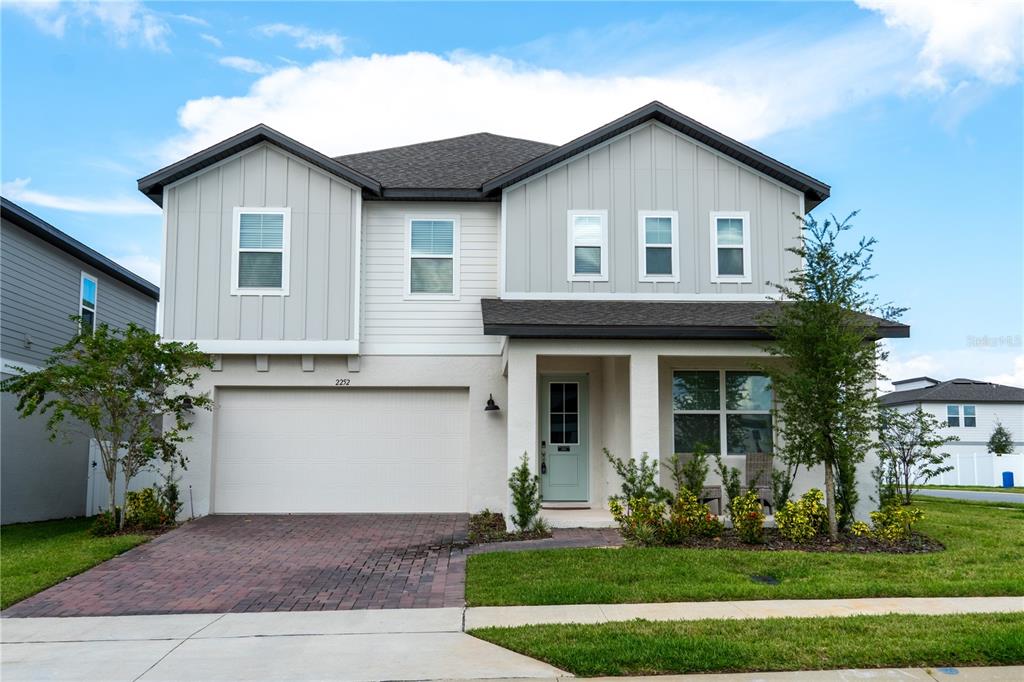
46,278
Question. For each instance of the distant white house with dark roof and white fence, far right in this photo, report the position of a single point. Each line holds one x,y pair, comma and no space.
970,410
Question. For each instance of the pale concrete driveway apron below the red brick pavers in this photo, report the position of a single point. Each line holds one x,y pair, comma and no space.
394,645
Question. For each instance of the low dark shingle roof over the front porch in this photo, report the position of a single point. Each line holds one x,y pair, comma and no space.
645,320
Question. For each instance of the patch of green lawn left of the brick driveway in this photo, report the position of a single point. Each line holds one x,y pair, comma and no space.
34,557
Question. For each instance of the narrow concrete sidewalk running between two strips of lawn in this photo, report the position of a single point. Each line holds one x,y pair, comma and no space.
507,617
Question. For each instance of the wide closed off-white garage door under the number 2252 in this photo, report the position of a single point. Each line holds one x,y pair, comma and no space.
309,450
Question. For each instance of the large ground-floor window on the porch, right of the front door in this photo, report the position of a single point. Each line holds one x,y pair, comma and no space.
727,412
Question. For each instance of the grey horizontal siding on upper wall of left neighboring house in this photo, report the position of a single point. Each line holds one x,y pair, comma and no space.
40,289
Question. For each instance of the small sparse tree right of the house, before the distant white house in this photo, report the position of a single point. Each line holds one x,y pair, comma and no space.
909,445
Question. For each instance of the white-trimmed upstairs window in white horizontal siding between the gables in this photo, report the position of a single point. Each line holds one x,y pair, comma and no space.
433,264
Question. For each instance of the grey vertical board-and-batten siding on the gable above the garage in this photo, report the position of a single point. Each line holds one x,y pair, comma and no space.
321,306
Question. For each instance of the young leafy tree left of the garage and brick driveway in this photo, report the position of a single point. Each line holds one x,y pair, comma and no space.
118,387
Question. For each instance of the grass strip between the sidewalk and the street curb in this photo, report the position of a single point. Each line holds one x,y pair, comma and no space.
643,648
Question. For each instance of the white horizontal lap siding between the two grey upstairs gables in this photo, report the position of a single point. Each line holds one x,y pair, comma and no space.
394,325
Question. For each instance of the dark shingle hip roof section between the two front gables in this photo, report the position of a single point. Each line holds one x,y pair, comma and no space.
457,163
